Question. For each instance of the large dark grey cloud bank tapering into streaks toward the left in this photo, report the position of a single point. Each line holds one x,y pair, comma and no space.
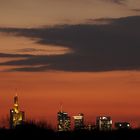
103,47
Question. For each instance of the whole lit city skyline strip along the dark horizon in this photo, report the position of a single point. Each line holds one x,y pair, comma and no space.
65,122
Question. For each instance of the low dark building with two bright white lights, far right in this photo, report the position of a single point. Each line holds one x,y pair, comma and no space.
122,125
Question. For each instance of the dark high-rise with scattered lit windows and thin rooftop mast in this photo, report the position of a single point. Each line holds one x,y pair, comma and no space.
64,122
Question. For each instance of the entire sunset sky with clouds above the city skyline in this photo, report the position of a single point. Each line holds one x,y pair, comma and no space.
84,54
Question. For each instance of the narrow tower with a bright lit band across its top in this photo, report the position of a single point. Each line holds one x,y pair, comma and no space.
79,122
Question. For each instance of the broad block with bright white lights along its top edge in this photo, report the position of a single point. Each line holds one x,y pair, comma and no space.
104,123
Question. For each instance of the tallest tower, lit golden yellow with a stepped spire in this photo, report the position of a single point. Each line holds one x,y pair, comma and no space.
17,117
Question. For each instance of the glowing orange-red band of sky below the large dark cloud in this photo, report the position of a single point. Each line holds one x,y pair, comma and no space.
104,93
